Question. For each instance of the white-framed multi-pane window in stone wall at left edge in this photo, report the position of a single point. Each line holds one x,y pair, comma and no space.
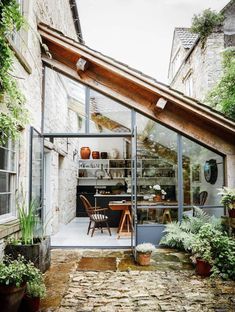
7,180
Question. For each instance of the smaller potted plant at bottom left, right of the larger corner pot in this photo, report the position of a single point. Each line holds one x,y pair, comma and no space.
35,291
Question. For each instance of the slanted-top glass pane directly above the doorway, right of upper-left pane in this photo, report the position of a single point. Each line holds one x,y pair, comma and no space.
108,116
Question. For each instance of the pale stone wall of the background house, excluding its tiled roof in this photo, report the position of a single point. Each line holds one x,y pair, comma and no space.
205,66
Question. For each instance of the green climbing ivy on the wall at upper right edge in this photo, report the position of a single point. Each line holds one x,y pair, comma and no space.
222,96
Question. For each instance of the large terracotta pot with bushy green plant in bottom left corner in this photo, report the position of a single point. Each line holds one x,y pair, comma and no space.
14,274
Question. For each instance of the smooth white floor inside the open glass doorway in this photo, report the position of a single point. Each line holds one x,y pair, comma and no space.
74,234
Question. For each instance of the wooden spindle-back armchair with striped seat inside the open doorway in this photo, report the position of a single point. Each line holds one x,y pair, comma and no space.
96,215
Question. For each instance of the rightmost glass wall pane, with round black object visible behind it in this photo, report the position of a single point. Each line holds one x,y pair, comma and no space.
203,174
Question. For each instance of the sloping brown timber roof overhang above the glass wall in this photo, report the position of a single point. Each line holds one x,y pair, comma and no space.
139,91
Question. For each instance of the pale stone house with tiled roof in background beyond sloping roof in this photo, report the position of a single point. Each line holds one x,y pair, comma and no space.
194,69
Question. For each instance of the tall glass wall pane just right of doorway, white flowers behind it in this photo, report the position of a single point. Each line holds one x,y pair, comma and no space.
157,167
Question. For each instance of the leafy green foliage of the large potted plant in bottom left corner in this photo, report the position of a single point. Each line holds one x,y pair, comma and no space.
17,272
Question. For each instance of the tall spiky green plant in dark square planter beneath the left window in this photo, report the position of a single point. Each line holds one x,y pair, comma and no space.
34,247
